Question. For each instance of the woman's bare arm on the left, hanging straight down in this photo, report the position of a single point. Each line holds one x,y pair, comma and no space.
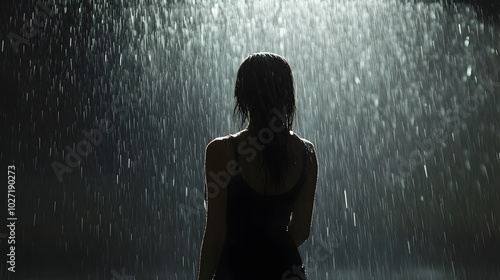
215,227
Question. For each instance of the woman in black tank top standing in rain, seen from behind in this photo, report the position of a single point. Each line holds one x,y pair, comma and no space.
260,182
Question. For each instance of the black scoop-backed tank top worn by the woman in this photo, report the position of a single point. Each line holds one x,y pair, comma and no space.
258,245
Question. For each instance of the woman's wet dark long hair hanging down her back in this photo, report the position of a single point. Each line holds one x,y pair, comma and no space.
264,92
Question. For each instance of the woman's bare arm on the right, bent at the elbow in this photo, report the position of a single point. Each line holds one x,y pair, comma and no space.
300,223
